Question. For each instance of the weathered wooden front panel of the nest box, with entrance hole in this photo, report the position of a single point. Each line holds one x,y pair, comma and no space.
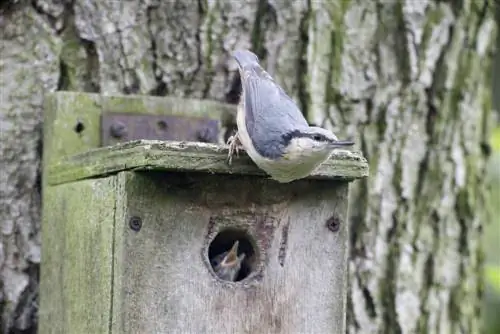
294,275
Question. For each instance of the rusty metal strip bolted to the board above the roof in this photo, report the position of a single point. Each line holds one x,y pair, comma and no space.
121,127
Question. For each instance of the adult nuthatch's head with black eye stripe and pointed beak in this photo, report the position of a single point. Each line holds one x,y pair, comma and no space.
312,141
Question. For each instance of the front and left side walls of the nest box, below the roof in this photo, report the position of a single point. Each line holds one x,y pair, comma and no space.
99,275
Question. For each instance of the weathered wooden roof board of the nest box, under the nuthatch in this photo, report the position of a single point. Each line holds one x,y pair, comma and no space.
186,156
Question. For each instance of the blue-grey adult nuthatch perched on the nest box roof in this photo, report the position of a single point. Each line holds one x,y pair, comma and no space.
272,129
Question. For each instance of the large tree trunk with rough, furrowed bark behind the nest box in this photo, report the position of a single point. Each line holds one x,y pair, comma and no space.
409,80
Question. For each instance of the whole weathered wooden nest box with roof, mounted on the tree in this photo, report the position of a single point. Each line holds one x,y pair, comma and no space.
130,225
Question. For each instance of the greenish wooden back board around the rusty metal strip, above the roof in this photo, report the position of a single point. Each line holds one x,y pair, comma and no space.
72,119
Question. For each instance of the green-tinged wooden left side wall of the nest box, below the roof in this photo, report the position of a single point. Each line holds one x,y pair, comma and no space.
76,270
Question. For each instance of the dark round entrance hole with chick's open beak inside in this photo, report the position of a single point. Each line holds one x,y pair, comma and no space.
223,242
